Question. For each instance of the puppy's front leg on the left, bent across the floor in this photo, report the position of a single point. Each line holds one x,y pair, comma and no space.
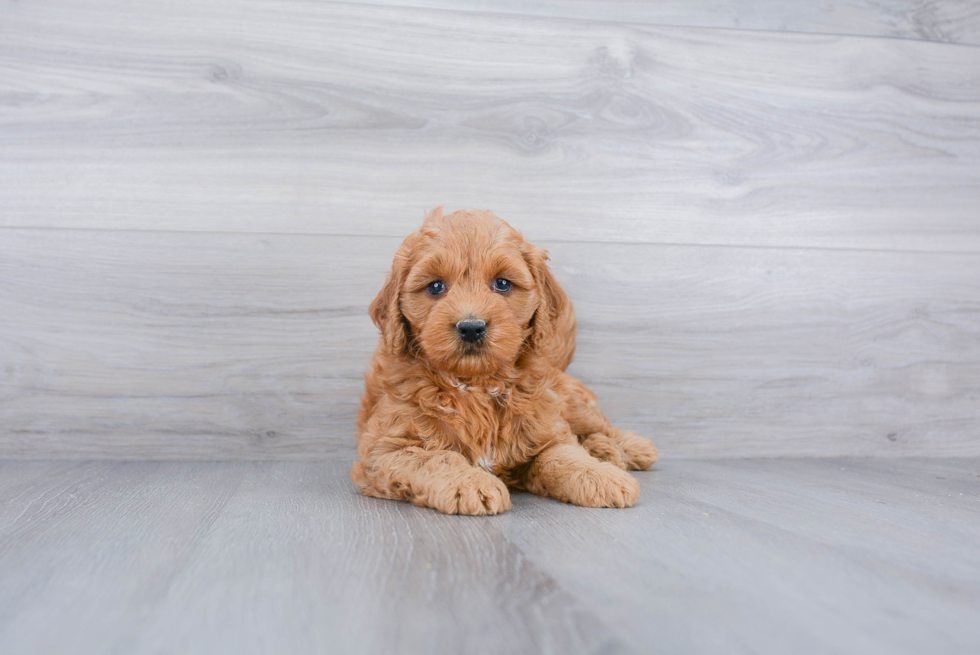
440,479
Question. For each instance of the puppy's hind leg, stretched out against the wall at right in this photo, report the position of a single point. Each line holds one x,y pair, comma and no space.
602,439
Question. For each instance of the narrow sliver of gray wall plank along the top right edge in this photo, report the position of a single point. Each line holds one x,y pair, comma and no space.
950,21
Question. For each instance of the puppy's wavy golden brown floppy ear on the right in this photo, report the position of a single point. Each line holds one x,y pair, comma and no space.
553,323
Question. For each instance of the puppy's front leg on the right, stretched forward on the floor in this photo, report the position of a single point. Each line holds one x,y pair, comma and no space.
566,471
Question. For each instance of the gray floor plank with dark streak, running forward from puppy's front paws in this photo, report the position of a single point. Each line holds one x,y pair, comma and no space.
363,577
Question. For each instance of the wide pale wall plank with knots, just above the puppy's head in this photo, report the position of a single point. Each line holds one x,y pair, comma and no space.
329,118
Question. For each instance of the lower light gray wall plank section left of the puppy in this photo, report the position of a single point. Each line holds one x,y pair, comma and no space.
214,345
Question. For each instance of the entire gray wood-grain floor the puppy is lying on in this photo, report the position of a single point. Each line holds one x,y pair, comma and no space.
751,556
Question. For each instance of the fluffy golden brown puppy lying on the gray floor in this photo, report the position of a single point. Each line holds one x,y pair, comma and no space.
466,394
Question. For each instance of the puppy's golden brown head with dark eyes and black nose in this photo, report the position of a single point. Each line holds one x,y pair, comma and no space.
468,294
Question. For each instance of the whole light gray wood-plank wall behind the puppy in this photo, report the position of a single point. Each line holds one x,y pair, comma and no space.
771,233
